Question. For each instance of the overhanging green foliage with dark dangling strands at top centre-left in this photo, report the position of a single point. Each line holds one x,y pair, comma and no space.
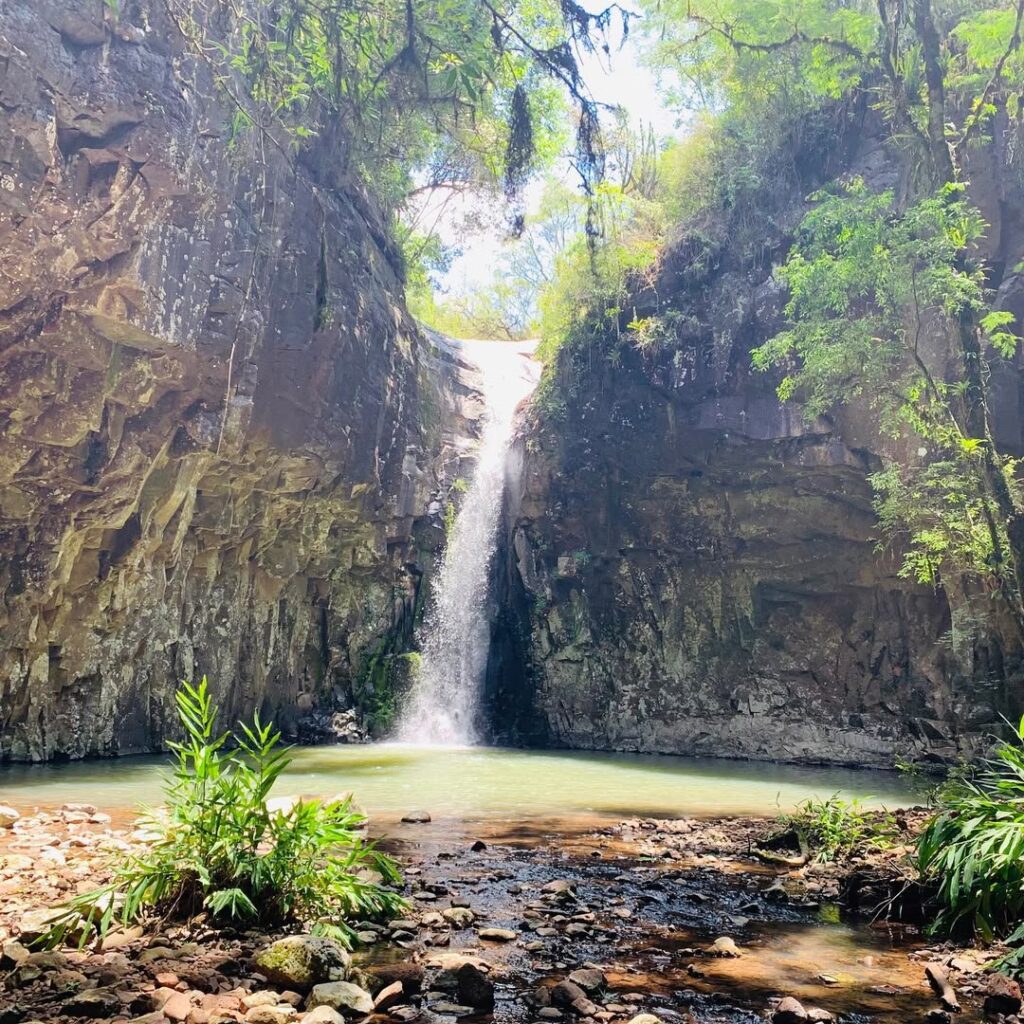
450,92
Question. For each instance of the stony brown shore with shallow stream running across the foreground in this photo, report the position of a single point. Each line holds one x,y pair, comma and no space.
639,922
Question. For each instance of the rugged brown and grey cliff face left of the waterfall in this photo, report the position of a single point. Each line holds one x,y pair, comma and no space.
221,434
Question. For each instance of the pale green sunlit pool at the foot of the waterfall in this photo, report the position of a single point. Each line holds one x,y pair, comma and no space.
475,783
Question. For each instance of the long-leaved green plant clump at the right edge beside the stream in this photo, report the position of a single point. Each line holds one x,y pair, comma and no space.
973,848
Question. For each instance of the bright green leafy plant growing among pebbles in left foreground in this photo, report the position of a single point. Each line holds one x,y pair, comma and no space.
221,848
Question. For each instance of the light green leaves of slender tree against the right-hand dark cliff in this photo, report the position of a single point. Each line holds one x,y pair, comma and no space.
871,288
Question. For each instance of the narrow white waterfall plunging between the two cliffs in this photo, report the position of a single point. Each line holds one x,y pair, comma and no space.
443,708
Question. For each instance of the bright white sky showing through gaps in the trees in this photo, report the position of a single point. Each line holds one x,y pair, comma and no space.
619,80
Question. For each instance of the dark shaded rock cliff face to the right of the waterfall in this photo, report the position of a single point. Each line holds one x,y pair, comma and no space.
698,564
